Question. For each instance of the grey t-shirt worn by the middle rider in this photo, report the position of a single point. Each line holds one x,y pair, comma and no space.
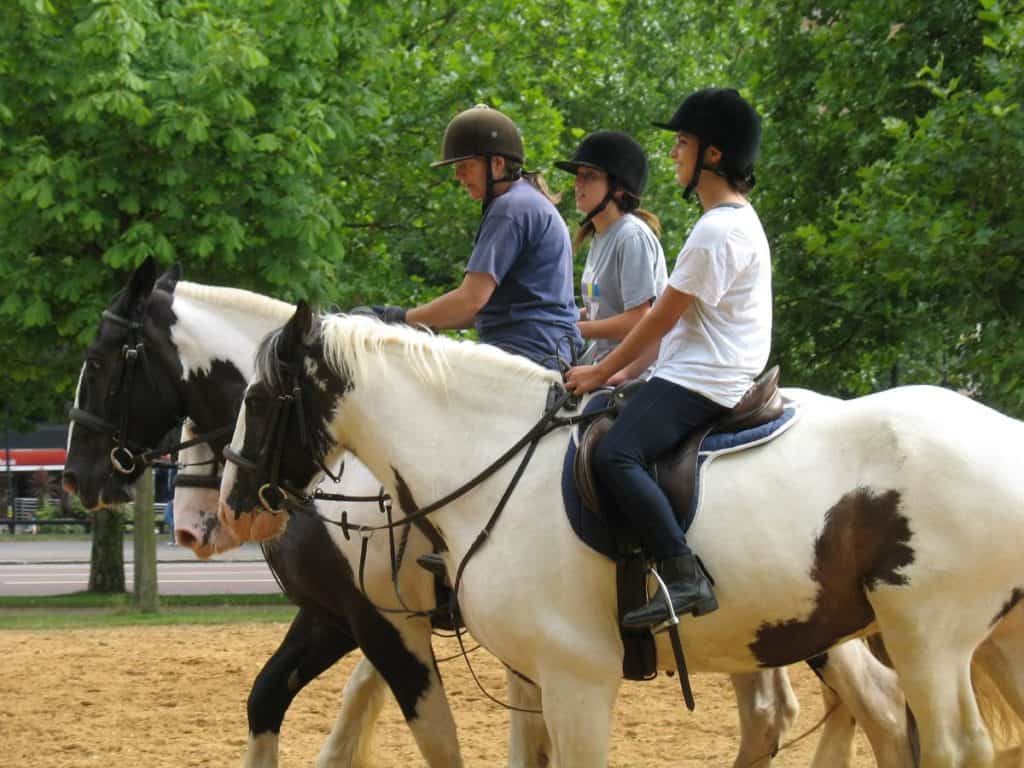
625,269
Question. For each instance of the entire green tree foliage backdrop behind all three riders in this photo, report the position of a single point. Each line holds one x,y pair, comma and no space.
286,147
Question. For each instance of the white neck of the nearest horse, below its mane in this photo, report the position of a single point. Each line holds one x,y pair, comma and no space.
435,439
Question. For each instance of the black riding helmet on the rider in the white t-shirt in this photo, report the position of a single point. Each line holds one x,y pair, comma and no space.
720,117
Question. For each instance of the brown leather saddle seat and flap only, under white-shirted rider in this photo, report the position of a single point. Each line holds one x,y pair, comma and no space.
676,473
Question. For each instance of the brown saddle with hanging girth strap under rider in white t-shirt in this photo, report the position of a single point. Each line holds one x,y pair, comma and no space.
676,475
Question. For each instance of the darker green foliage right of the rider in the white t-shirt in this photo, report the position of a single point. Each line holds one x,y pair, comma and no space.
892,135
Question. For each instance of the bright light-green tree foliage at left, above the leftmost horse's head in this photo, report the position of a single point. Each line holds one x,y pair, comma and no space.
189,132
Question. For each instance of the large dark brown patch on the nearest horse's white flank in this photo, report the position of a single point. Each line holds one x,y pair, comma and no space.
866,541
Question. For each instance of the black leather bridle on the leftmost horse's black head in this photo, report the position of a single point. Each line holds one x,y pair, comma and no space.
127,456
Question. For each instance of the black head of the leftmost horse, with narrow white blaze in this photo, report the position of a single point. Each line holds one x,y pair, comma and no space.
114,420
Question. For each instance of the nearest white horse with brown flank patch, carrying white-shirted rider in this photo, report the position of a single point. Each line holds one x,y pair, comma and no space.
901,513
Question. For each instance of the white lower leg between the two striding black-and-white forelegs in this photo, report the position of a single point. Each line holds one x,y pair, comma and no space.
350,741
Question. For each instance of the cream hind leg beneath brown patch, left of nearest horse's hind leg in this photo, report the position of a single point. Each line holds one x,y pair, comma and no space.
871,693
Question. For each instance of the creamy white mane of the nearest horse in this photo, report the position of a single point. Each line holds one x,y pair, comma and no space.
349,340
